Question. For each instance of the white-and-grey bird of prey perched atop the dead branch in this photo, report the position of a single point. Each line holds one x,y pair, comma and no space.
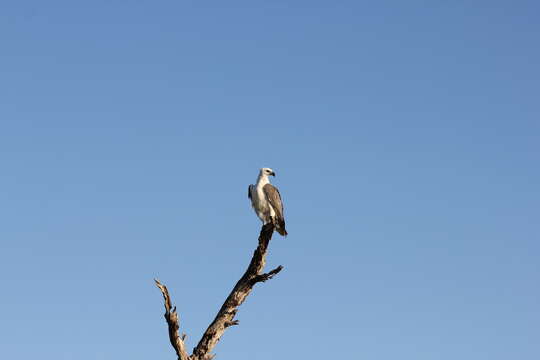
266,201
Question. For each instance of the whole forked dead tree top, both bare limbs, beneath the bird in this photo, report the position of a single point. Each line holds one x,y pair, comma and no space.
225,315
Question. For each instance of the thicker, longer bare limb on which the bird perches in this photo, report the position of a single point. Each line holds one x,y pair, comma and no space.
225,316
